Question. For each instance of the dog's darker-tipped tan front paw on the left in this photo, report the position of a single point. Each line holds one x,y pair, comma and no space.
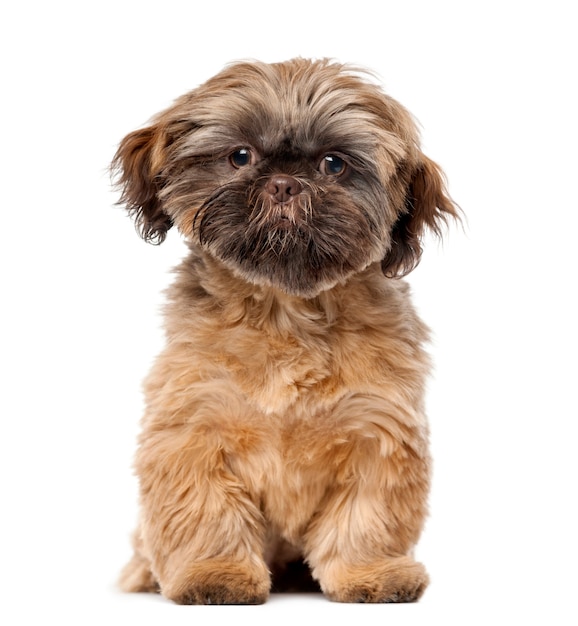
220,582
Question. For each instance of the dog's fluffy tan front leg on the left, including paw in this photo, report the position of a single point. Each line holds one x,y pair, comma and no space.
201,531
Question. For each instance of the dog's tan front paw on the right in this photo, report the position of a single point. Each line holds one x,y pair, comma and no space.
394,580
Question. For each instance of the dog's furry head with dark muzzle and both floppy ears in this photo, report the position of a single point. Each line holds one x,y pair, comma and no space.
294,175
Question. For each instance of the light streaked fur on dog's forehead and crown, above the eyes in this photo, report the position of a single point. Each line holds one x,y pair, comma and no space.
308,107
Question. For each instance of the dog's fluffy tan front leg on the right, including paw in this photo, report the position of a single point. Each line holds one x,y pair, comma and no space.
359,544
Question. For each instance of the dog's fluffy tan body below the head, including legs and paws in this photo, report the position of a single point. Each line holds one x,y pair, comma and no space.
281,427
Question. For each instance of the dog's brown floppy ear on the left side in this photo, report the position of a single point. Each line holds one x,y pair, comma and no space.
137,167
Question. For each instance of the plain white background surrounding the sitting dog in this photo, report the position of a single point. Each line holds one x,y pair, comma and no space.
494,87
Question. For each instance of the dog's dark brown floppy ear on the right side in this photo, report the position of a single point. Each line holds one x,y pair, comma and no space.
427,205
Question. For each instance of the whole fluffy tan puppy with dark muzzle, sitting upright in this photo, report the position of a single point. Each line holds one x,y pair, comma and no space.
284,441
